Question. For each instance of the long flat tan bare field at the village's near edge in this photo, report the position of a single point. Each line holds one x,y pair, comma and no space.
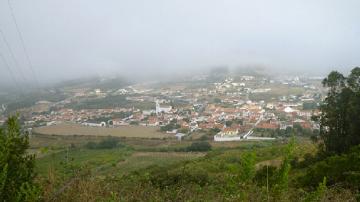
122,131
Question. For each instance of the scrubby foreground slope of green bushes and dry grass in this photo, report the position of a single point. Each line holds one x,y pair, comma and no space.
230,175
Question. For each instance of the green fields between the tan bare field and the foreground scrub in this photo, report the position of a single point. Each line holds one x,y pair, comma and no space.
54,152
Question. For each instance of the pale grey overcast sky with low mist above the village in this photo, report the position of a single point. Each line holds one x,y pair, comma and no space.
72,38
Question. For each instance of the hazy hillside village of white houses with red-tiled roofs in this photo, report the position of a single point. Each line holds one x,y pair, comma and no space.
243,108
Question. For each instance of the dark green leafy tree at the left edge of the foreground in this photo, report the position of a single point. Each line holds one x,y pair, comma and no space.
16,166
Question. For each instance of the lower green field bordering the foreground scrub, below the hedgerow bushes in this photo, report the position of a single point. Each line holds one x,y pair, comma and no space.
117,161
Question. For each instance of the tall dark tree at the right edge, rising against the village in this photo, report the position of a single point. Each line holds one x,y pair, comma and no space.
340,120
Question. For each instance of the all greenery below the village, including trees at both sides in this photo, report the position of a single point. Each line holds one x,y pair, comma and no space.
292,168
